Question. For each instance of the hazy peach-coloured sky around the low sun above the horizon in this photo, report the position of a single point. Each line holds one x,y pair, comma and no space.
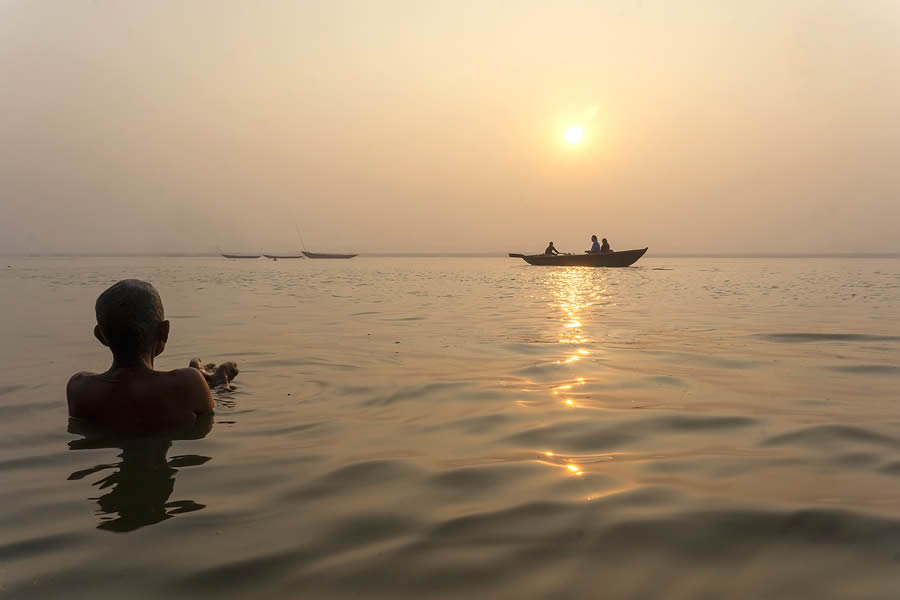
387,125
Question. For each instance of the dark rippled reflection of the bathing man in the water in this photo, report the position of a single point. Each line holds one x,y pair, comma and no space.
139,490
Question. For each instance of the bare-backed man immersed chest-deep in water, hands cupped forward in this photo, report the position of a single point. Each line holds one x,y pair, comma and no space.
131,394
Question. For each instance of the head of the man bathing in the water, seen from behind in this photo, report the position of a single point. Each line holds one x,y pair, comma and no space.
129,319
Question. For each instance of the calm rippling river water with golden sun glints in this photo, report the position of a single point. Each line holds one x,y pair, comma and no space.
467,428
